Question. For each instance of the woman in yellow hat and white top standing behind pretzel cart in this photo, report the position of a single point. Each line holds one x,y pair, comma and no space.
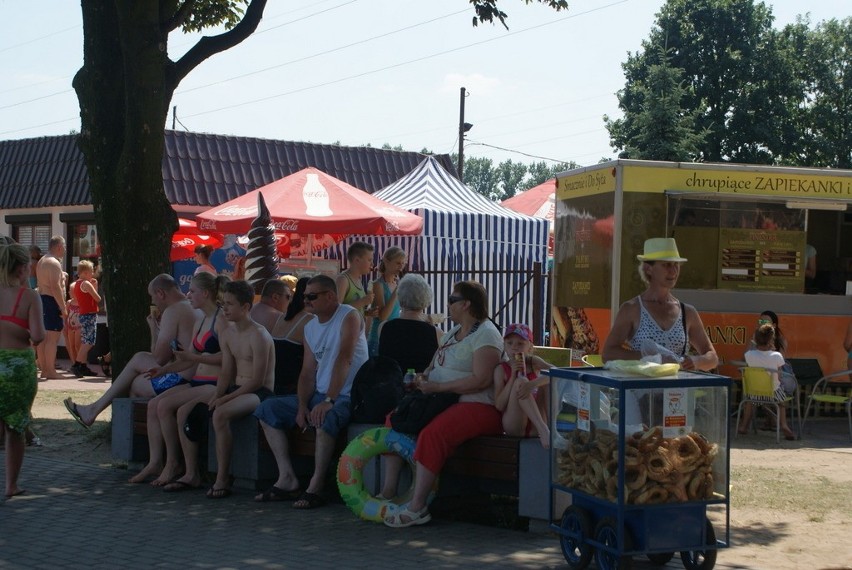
655,322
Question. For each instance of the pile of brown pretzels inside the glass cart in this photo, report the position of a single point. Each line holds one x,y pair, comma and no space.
657,469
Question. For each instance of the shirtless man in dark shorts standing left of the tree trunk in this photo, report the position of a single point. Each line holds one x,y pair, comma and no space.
52,291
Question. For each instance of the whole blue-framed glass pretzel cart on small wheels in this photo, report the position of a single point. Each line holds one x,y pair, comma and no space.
639,466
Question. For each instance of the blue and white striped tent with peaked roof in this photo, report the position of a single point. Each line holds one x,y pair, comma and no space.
465,236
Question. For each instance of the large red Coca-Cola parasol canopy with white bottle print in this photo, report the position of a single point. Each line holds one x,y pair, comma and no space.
313,202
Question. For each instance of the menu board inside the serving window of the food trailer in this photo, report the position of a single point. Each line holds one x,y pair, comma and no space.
761,260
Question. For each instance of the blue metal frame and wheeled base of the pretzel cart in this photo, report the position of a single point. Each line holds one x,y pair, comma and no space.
623,530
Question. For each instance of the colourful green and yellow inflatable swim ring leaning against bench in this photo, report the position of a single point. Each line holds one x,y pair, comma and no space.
350,477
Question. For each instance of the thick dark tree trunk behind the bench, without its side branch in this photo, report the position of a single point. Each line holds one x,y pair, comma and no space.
123,103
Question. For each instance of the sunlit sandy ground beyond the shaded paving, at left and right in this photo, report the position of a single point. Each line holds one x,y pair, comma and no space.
791,502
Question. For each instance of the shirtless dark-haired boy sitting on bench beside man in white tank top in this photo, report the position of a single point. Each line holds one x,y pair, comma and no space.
248,376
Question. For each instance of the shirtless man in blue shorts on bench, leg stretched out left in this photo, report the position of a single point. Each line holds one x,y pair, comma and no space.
177,319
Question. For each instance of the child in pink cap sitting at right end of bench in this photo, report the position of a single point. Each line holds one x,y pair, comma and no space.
516,383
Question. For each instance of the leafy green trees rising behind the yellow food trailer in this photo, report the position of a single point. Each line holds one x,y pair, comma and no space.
745,92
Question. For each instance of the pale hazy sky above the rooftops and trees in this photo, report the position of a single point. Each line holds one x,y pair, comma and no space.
359,72
